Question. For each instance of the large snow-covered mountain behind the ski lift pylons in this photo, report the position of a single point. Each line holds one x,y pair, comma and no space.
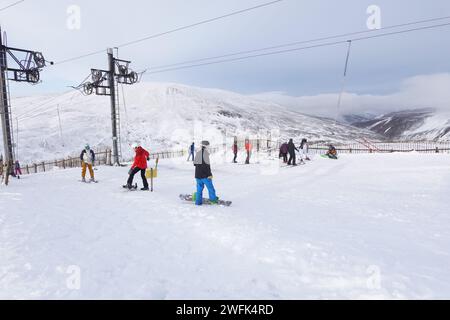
160,116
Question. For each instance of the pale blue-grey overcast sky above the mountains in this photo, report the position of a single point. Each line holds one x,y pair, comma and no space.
378,66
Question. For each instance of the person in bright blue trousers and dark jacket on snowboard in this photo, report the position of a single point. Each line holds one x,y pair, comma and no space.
204,176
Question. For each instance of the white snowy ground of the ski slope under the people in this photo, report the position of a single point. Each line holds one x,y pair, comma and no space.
366,226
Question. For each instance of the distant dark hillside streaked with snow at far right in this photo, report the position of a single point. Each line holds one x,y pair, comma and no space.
419,124
